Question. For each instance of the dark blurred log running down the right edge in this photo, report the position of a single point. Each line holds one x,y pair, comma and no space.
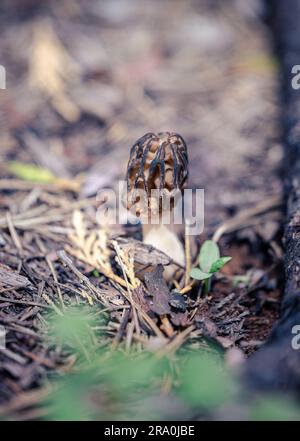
276,366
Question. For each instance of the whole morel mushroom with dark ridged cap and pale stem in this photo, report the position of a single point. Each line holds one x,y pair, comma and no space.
158,165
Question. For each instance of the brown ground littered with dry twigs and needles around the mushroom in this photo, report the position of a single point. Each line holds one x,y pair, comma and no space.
84,81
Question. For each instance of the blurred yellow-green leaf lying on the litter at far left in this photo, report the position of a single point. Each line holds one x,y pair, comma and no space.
31,172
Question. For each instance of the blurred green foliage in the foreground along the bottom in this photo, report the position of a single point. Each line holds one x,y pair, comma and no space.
114,385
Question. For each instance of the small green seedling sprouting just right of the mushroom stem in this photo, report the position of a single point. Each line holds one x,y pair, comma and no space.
210,262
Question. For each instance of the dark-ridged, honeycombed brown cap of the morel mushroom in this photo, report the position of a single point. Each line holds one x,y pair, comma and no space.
157,162
